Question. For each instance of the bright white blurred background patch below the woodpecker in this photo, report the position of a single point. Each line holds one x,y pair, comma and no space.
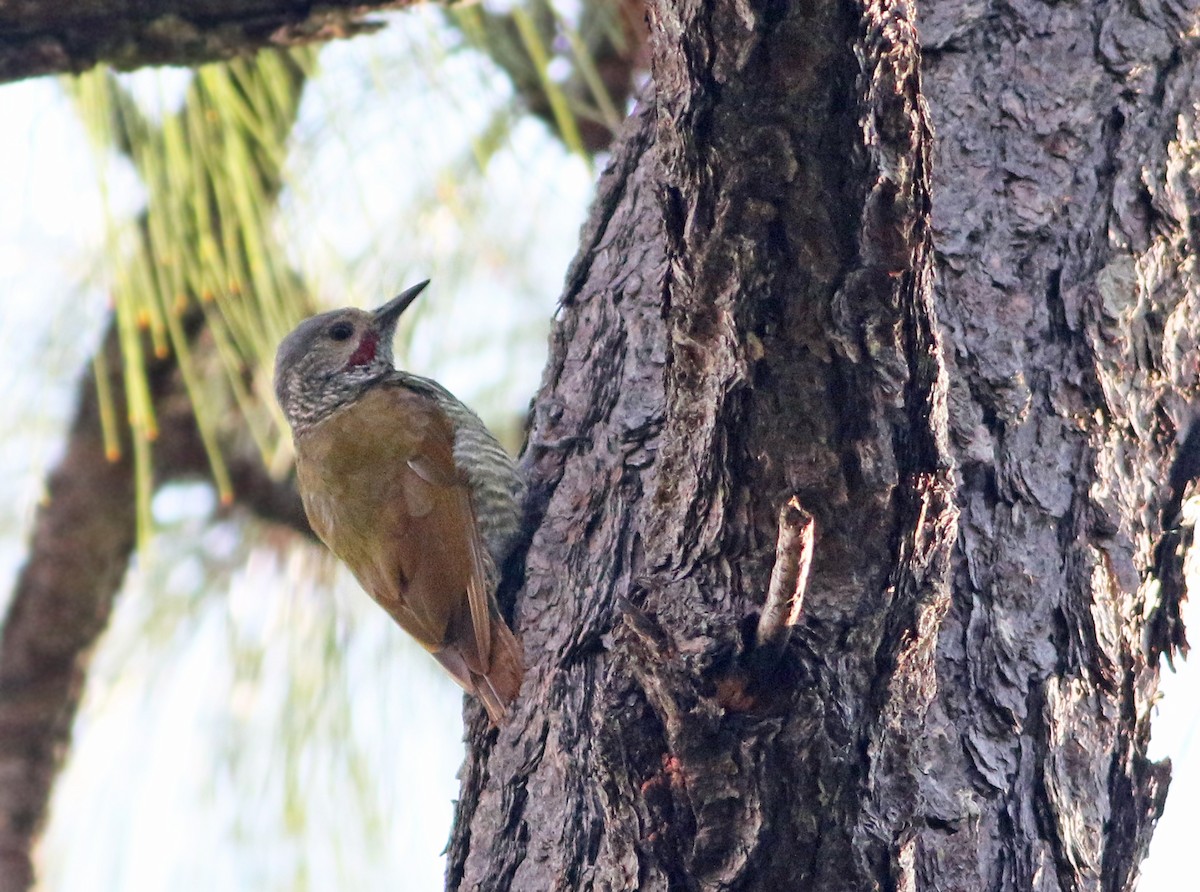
283,737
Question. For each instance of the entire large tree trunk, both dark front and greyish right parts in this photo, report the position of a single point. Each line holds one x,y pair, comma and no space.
753,318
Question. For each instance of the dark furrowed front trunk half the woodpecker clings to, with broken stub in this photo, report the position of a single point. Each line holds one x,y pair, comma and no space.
749,320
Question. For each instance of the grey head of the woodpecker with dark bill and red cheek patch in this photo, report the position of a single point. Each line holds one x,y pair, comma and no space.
328,361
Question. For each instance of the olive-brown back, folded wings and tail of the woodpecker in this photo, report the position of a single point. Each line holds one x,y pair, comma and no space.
385,493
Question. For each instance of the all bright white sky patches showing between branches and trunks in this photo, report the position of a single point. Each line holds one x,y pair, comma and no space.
177,780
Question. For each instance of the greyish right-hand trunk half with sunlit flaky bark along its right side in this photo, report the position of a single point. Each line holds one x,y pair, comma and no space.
1065,223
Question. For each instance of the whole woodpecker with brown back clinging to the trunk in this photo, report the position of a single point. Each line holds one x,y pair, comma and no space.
407,487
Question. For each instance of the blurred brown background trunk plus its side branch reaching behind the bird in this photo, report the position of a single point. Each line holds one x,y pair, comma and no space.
83,540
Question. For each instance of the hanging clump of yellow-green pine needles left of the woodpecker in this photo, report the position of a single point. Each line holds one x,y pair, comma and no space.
213,173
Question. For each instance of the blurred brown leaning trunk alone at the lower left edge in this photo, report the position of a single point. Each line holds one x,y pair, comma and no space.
86,532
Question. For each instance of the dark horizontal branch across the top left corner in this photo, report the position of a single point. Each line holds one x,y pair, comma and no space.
56,38
